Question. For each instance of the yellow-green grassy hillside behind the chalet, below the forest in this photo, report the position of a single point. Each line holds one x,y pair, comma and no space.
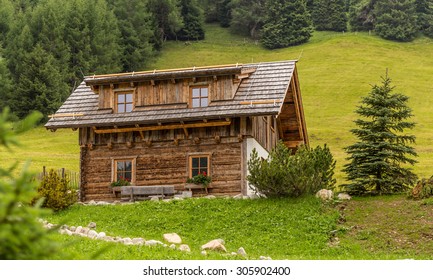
335,70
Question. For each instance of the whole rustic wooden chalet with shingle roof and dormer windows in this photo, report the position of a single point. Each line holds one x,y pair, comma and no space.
158,128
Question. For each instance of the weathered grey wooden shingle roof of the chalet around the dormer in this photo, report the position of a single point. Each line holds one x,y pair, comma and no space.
255,96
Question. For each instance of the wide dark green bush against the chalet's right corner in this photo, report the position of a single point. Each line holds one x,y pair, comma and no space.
284,174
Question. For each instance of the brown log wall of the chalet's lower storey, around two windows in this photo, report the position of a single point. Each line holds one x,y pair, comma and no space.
162,158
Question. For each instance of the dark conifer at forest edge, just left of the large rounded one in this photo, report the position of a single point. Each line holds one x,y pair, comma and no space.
248,17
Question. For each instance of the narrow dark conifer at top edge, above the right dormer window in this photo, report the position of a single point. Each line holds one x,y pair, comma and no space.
192,21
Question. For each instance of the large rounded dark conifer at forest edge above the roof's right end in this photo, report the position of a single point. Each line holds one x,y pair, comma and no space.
287,23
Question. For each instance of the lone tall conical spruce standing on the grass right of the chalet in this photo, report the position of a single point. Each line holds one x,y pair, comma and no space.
375,161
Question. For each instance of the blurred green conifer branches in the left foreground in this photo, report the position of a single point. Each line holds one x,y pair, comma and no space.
22,236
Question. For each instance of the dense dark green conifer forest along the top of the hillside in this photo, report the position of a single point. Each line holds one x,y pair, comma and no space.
48,46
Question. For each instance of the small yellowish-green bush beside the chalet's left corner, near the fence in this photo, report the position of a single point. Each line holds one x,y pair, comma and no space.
56,192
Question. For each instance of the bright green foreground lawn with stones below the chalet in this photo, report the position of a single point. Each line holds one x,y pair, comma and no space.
389,227
